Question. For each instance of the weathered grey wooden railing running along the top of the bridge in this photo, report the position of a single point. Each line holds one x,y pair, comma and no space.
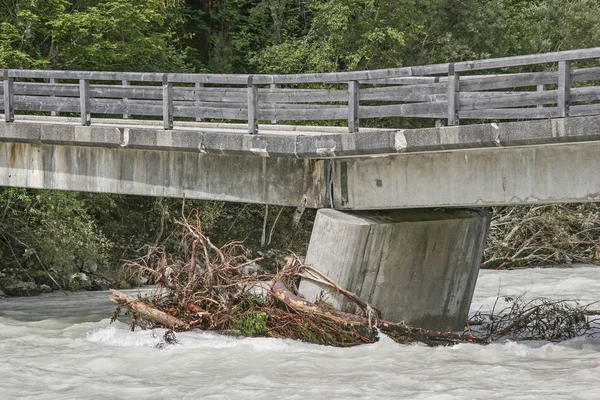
450,92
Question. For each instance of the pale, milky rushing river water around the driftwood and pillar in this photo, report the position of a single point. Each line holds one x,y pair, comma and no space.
63,347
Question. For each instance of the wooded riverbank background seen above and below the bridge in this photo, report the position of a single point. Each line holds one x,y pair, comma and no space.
49,240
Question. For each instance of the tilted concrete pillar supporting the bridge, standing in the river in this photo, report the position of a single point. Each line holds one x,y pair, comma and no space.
417,266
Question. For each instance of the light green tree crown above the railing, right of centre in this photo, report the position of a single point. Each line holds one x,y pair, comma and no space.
347,35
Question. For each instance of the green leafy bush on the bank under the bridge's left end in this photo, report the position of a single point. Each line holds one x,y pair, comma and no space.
49,228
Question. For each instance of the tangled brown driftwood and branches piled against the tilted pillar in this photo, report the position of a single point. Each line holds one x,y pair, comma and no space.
204,287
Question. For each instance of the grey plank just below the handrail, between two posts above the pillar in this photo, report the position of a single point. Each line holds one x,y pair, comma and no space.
416,93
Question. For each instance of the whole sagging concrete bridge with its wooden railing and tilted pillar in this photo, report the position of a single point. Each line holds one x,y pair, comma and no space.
160,135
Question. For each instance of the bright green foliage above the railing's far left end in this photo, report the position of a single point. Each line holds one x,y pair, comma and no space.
123,35
